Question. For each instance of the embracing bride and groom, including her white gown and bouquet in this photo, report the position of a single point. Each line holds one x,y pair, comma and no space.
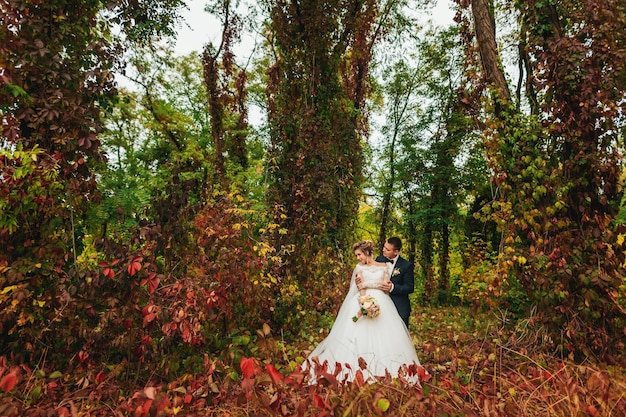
376,341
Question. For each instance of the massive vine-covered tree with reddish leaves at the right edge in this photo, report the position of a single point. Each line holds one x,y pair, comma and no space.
559,173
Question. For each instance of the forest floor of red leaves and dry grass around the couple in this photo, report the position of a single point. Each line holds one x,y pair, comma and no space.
479,364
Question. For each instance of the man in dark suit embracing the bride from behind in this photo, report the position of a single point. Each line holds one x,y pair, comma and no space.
401,275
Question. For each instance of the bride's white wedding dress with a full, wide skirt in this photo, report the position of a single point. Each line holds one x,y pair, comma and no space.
383,342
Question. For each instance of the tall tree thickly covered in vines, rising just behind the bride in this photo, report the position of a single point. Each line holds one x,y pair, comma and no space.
316,89
